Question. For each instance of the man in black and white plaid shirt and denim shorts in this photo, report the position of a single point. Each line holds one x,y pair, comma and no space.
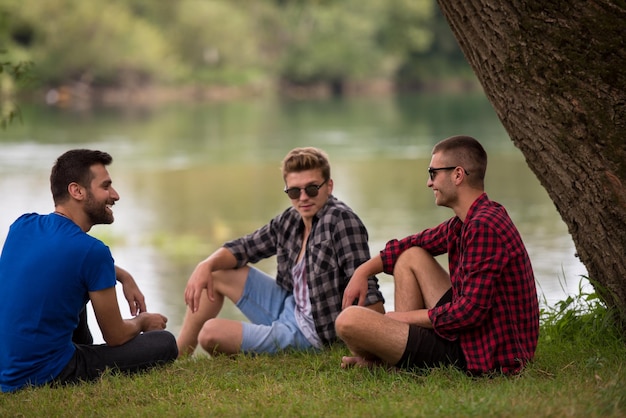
318,243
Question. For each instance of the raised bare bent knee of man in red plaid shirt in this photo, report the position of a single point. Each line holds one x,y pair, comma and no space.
419,281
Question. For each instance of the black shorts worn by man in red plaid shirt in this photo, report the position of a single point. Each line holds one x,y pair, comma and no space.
424,348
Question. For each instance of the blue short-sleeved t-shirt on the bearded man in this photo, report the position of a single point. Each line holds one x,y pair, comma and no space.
47,267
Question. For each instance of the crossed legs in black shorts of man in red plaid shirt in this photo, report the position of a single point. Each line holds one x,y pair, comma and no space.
403,338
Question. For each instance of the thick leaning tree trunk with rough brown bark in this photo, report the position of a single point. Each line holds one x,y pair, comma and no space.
555,72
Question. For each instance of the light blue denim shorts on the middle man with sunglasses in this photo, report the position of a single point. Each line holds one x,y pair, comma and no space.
270,309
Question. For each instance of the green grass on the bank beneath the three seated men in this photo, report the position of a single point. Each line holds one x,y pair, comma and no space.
578,371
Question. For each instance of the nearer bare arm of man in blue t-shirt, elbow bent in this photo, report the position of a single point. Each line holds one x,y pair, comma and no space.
115,330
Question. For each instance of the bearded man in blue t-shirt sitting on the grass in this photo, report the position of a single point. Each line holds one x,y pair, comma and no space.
50,268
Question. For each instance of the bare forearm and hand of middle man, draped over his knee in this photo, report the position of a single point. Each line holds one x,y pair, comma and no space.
201,278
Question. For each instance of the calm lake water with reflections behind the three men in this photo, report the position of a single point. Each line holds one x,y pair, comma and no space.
191,177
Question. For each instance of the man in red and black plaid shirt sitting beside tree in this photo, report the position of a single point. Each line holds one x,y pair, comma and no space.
482,316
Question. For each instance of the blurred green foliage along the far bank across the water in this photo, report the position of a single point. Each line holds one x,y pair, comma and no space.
132,43
